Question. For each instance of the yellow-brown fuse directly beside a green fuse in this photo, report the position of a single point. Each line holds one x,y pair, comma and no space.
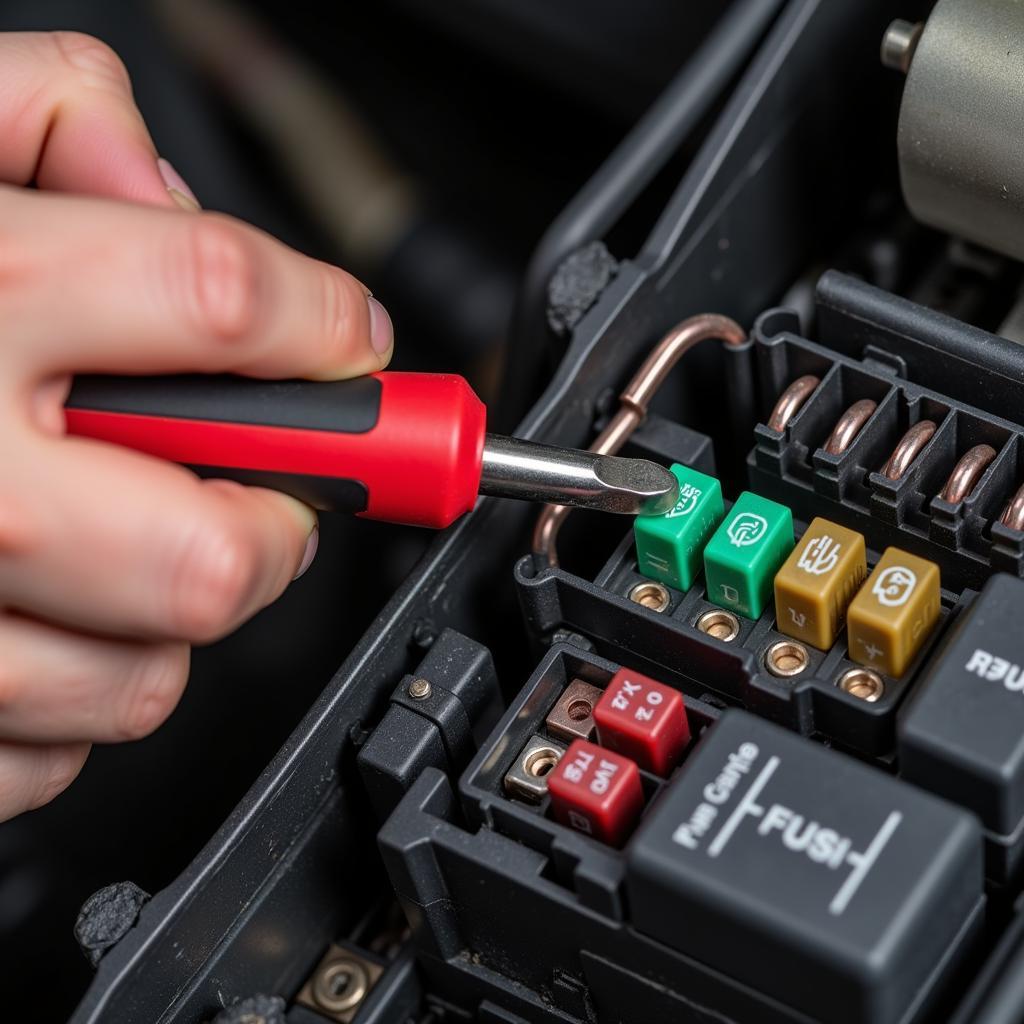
818,581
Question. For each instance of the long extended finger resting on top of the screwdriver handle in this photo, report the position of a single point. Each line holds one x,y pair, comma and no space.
148,291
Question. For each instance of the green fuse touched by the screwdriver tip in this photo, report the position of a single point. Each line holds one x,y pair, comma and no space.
669,546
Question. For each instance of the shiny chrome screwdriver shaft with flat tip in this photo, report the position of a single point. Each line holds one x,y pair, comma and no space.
515,468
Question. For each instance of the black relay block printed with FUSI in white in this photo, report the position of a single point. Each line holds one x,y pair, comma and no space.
815,879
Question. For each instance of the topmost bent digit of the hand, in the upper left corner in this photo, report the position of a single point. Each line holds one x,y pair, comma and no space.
69,121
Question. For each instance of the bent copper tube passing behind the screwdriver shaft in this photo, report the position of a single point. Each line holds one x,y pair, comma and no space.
633,405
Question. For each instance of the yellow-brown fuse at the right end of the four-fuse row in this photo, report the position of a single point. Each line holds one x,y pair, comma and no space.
894,612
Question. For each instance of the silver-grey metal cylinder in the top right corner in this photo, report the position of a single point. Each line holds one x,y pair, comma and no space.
961,137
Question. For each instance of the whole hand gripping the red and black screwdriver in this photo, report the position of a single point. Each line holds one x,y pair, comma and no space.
112,564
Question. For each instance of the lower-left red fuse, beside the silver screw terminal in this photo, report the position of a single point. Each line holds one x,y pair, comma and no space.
596,792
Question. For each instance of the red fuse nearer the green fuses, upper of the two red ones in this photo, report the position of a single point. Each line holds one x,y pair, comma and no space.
644,719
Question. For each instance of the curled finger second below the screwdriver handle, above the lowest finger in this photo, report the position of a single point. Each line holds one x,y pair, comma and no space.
59,688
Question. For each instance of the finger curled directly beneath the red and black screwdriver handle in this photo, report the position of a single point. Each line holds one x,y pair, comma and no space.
116,543
